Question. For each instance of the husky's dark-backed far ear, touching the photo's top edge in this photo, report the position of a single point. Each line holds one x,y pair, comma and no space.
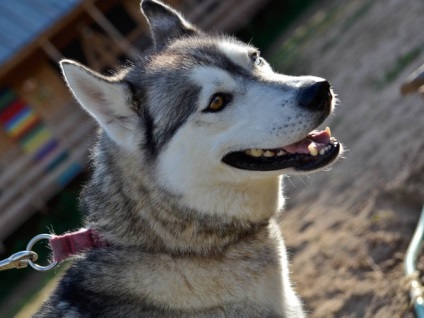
165,23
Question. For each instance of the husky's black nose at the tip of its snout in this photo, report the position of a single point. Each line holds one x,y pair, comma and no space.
316,96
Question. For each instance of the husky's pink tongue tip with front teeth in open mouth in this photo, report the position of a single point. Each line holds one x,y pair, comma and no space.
315,140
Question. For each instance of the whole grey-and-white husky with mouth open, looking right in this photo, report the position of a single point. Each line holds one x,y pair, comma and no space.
186,188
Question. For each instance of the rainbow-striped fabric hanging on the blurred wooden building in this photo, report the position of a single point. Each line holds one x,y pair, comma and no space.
25,127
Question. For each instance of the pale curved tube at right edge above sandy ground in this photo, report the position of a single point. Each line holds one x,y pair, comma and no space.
416,289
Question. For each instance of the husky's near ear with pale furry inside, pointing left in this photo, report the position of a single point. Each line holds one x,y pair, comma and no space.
106,99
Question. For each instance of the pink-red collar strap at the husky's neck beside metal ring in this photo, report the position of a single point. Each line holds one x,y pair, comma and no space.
69,244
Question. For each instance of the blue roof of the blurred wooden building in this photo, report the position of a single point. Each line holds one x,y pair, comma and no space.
21,21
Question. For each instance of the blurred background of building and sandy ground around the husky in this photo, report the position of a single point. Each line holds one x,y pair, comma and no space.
347,229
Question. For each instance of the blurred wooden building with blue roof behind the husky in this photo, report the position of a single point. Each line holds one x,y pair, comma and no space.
44,136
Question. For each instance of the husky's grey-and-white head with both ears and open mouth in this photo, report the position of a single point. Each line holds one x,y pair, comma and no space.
210,107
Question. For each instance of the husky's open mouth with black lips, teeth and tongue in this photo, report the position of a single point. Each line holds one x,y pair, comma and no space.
316,150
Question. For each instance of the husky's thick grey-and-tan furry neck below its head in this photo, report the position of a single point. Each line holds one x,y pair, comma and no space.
129,210
